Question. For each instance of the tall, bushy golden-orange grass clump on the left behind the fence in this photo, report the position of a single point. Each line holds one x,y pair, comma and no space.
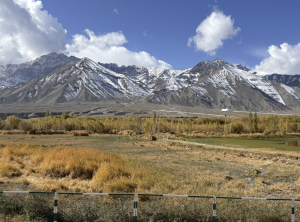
68,169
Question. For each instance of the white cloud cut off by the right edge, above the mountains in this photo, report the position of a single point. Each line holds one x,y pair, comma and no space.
282,60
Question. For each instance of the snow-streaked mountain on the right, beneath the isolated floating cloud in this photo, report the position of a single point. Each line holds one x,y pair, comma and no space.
222,85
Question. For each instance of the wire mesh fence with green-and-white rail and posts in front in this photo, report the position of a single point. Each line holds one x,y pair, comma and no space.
86,207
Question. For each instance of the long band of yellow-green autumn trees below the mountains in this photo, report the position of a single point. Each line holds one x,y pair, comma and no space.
236,125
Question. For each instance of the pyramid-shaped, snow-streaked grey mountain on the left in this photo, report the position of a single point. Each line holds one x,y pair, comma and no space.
83,80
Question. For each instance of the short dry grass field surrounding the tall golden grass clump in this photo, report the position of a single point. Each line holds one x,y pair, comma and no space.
237,166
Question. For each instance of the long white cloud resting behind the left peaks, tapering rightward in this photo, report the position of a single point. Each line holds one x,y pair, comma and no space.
108,48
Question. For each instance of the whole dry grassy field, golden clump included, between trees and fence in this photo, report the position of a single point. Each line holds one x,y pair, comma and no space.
132,164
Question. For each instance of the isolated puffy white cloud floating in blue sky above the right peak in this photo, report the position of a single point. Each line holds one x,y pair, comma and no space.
212,31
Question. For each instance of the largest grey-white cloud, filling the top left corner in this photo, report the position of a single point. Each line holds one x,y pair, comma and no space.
27,32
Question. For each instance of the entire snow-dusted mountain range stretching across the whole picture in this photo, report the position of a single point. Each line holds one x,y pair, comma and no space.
59,79
